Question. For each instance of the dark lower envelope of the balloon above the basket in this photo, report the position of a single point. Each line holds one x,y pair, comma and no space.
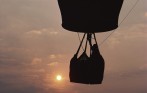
90,15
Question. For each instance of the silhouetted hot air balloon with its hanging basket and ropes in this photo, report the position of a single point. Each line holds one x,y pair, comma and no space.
89,17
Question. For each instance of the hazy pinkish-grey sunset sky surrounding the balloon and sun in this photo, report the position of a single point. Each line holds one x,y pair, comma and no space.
34,48
